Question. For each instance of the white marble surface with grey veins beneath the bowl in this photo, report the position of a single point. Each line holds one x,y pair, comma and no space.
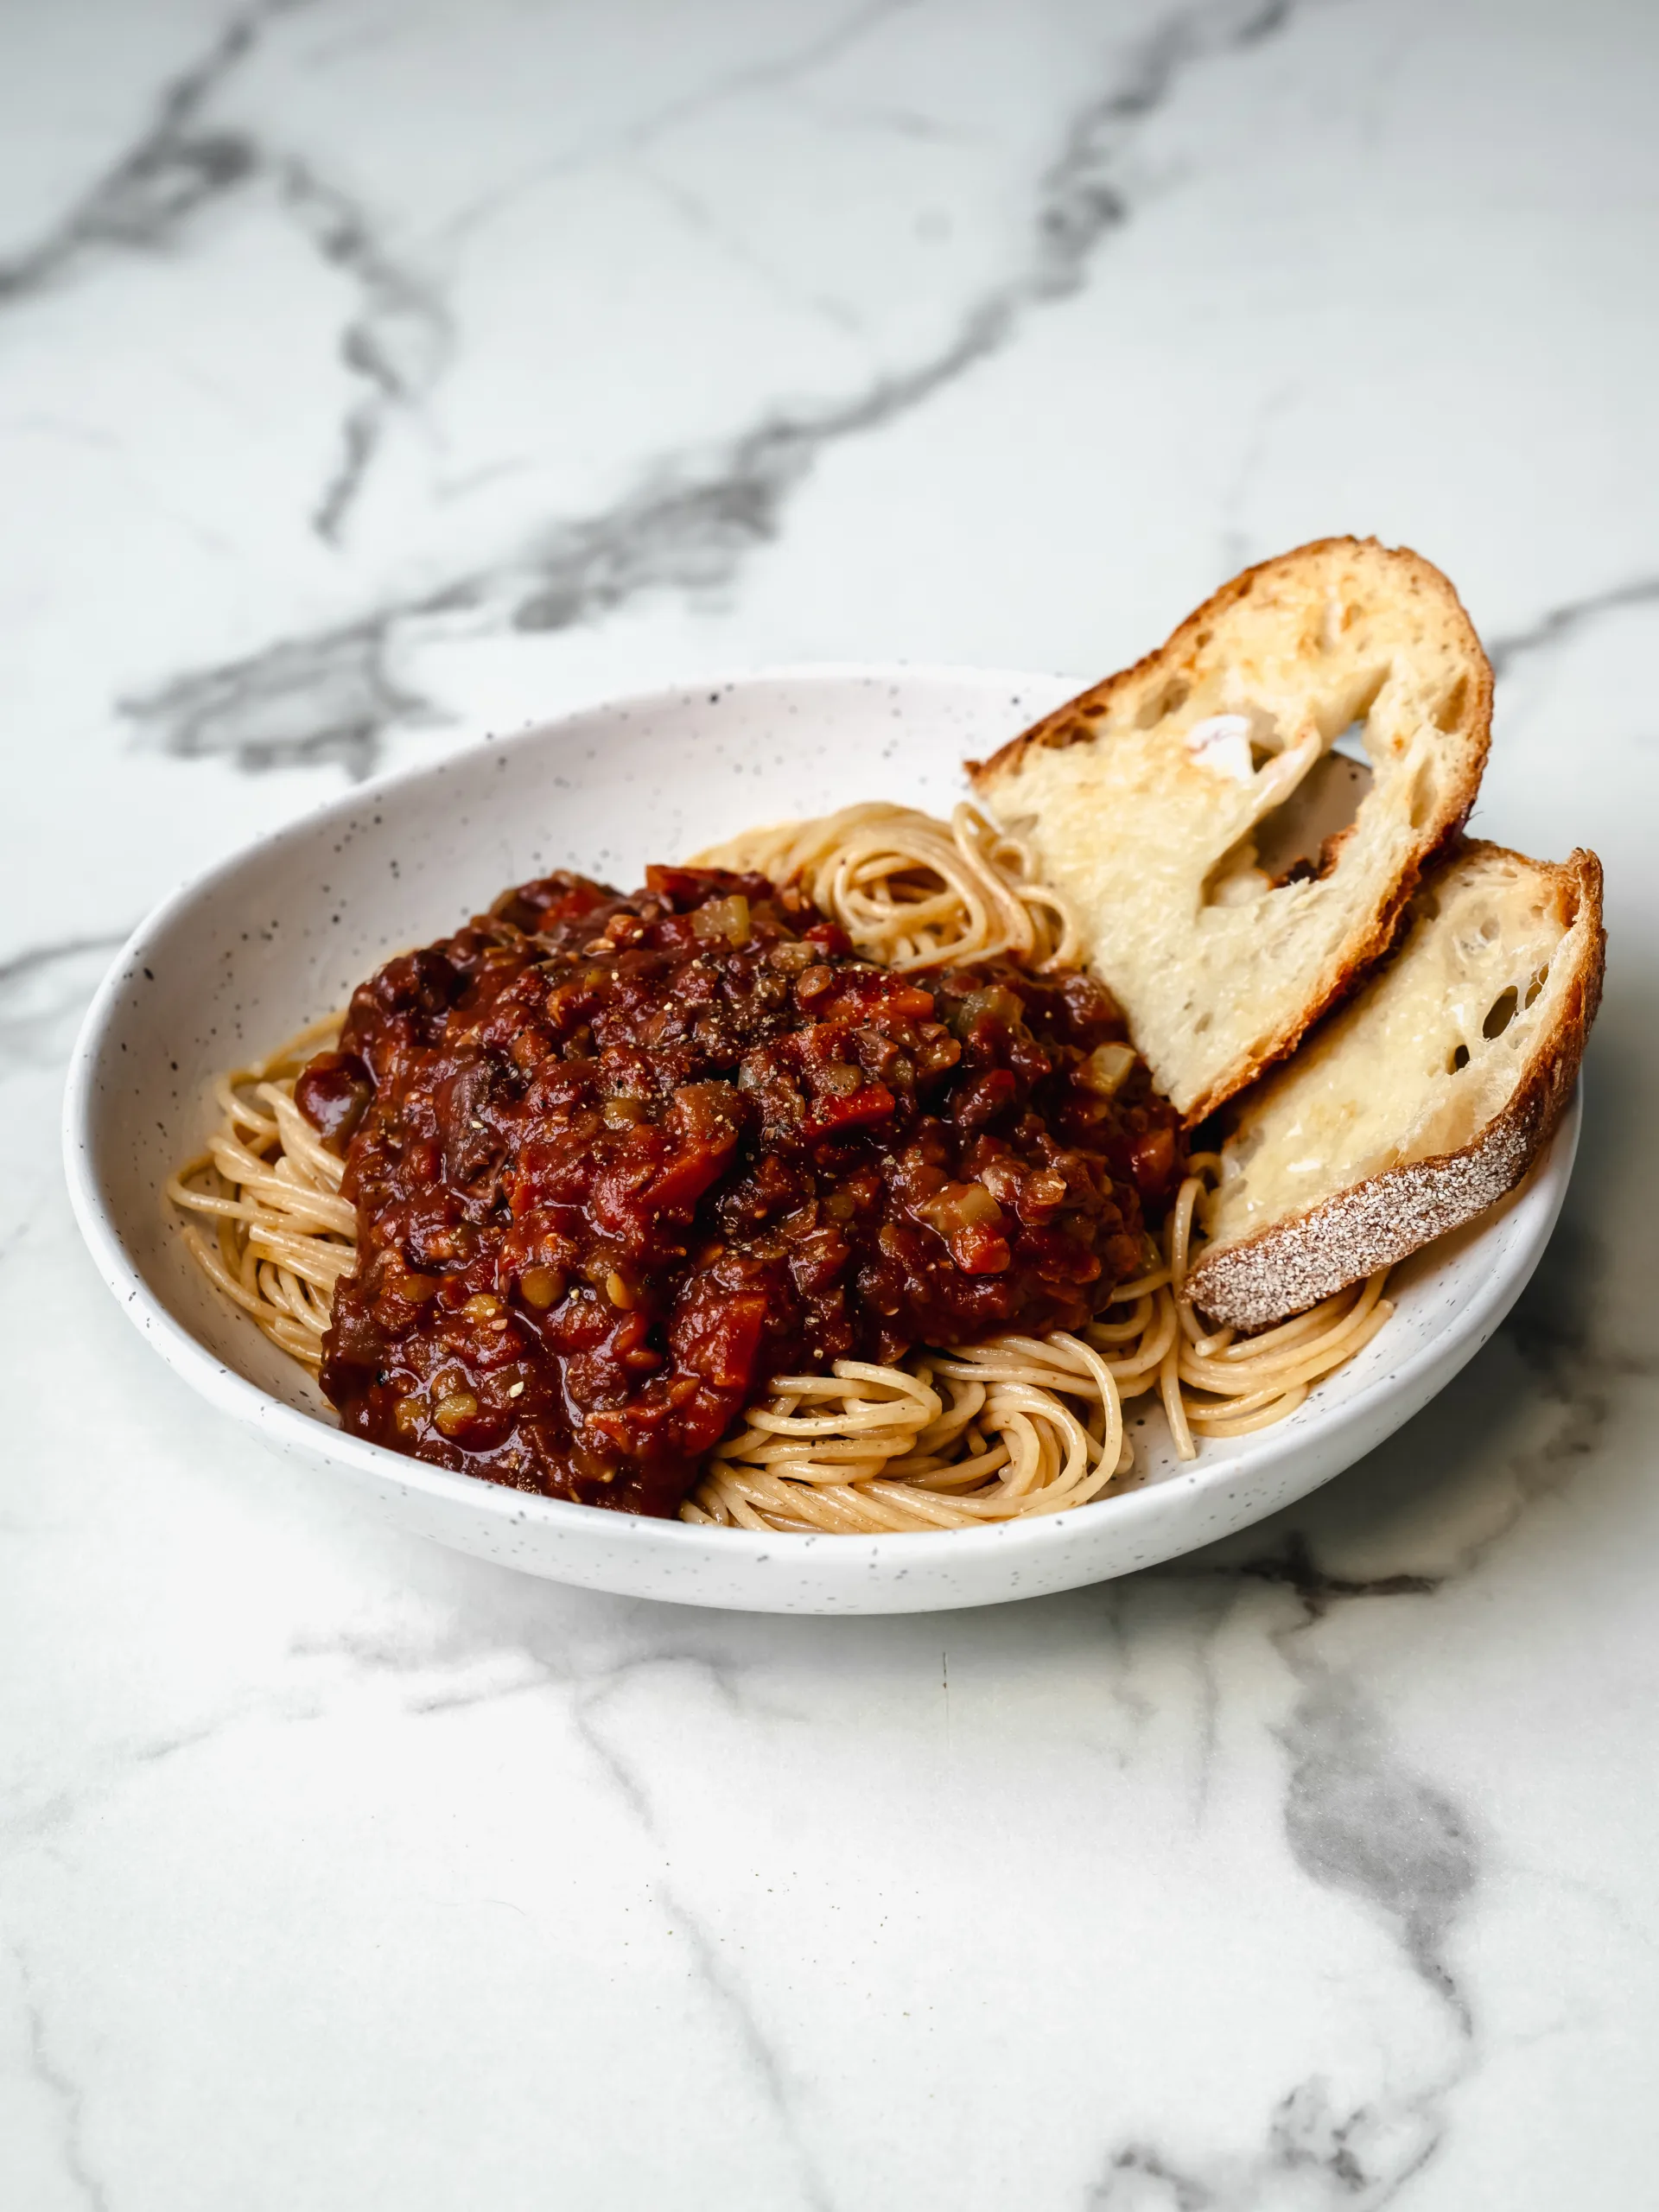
375,373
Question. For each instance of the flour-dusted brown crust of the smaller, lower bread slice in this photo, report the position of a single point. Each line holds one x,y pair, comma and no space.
1306,1258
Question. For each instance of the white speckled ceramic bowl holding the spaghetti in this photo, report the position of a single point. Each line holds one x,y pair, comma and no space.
282,932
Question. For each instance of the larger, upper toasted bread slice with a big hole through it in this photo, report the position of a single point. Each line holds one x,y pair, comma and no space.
1160,802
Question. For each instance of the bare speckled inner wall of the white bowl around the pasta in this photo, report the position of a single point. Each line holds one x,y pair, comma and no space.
284,932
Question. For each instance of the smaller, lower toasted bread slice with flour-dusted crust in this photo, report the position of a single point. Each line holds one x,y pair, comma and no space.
1421,1103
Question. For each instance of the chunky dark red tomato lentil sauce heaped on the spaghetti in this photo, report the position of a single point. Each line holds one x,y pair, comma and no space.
618,1162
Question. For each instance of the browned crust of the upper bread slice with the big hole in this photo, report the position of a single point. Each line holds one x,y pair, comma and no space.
1176,656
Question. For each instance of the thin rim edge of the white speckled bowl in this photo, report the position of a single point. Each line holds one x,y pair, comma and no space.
1019,1543
